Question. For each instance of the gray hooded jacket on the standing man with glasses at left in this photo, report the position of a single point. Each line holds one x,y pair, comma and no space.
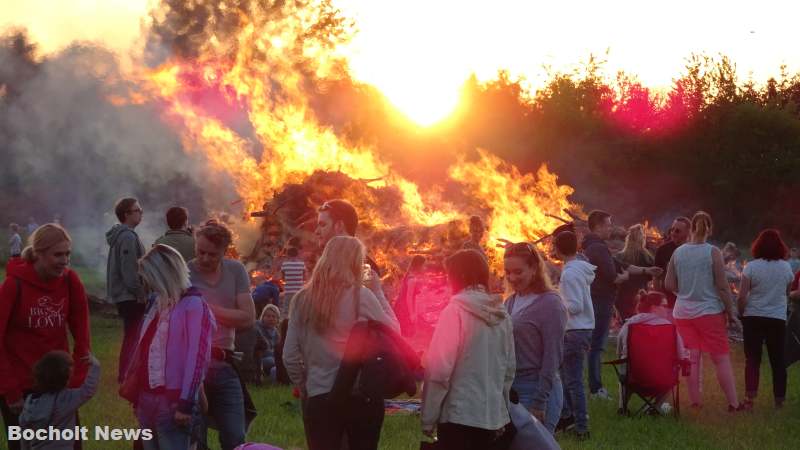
122,273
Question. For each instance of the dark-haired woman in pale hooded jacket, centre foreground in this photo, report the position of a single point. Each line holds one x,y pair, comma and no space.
470,364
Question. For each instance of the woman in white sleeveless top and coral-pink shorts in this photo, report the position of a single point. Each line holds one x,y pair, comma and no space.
696,274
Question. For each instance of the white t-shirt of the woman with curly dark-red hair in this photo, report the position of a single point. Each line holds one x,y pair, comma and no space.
768,282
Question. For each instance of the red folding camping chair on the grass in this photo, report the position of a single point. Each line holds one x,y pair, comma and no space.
652,368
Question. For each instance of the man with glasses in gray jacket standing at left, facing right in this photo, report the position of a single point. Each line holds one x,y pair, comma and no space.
123,285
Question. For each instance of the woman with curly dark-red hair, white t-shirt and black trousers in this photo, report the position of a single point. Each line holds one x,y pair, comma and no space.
763,303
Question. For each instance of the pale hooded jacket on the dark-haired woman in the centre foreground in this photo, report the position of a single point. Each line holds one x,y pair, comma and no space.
470,365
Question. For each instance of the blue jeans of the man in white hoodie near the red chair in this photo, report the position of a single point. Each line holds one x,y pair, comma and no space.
576,346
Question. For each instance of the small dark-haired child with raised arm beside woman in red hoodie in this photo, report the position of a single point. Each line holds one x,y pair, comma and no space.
52,404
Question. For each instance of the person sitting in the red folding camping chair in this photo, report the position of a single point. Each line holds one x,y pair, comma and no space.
651,308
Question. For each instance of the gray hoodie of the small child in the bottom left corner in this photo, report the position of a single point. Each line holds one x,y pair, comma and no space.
57,409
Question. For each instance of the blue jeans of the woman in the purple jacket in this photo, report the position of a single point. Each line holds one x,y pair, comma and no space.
157,412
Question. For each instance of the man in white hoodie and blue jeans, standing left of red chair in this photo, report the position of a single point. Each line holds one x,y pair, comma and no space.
576,277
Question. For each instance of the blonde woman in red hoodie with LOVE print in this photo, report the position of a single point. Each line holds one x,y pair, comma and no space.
41,300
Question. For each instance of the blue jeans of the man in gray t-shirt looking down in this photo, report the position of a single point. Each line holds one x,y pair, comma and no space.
225,404
